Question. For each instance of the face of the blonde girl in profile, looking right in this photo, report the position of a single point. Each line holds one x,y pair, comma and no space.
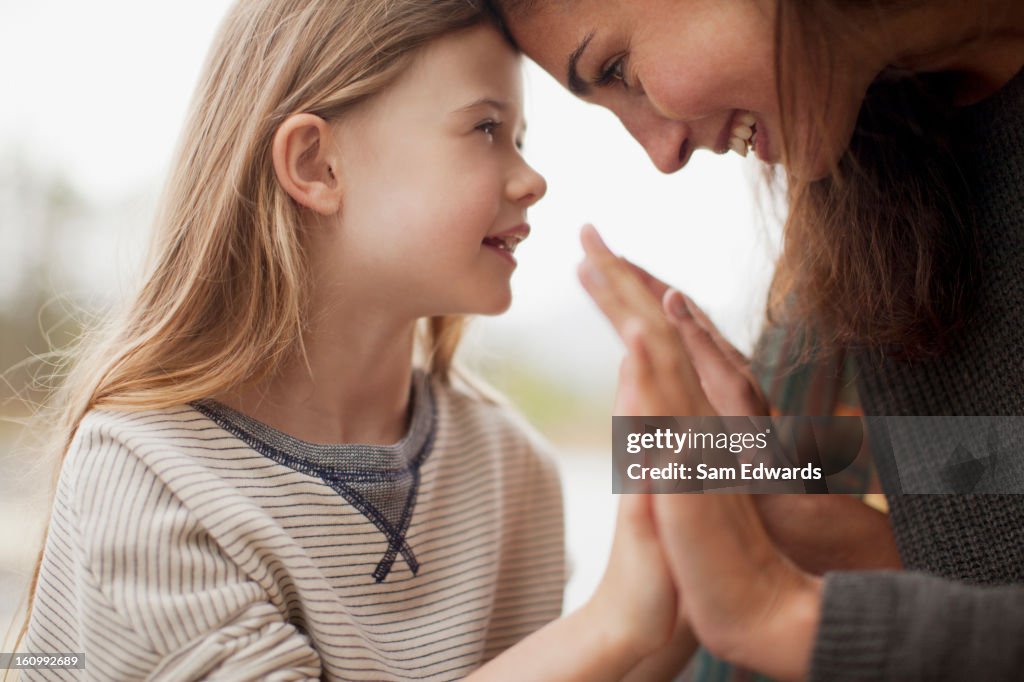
436,190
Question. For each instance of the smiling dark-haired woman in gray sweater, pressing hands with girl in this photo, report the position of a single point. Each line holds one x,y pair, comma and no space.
898,126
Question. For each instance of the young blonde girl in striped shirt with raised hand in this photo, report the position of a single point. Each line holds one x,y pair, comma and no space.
260,482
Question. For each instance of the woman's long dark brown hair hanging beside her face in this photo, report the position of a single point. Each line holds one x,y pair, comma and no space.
878,254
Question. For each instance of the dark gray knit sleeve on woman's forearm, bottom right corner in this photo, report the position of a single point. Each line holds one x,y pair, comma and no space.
915,627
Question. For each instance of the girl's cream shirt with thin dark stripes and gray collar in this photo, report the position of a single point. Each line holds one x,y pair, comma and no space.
196,543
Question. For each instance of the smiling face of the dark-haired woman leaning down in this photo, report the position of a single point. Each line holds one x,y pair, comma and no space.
681,75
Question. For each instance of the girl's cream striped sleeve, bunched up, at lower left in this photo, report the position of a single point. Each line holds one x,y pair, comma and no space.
153,595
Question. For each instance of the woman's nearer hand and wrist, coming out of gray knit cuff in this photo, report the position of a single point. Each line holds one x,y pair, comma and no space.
742,596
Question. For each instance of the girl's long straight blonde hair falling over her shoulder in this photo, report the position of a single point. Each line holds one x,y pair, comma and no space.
224,300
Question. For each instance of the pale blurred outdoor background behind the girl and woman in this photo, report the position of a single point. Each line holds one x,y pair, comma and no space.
95,97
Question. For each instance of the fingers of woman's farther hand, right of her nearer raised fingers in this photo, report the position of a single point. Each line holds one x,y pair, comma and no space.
730,387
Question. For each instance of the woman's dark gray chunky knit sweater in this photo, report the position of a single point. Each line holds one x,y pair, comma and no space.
958,611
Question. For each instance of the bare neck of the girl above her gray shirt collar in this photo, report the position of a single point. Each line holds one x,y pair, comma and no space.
353,386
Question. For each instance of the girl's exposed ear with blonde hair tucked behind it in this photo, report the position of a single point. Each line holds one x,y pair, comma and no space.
304,163
